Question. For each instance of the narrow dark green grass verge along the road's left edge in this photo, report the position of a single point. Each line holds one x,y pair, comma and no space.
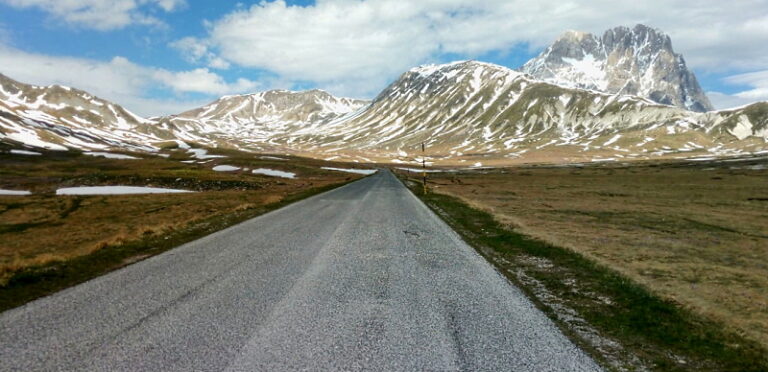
35,282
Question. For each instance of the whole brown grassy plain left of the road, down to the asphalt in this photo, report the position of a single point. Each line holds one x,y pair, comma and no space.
44,232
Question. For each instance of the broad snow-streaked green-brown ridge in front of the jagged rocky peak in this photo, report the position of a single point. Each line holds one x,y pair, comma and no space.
473,110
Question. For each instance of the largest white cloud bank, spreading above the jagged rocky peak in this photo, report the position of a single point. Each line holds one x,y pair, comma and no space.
362,44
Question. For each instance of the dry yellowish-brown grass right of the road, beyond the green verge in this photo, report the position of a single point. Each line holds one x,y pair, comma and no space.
695,234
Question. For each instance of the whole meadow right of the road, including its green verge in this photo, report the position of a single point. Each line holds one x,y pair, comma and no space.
649,265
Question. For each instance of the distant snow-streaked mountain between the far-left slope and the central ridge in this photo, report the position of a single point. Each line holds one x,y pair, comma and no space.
254,120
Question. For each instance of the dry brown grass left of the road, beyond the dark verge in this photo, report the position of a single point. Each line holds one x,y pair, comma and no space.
43,228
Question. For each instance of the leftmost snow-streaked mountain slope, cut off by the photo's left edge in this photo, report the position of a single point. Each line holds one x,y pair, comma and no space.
58,117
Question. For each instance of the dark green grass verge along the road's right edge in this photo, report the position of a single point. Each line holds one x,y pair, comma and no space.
654,333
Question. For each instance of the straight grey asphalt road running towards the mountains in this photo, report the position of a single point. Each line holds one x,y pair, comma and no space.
364,277
